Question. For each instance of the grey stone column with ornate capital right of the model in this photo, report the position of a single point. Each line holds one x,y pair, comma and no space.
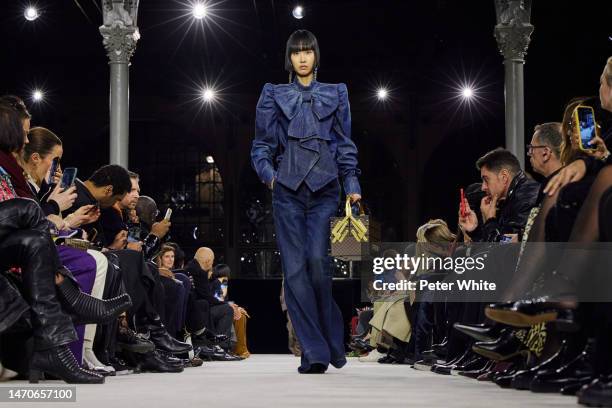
512,33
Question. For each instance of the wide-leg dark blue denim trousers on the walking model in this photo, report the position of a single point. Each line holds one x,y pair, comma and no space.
301,219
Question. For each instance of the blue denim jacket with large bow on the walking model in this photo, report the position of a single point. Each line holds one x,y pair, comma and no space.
303,134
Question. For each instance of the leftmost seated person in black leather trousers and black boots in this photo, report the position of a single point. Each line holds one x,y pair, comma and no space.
26,243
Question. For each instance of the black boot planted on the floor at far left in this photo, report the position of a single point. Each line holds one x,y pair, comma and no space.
60,362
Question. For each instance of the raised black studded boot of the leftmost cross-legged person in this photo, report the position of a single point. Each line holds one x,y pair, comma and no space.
89,309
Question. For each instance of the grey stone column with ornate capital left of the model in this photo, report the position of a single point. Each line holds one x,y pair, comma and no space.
120,35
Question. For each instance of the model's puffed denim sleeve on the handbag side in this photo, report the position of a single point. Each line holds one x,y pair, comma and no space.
346,156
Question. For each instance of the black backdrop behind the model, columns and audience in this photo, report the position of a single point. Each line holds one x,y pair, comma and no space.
415,150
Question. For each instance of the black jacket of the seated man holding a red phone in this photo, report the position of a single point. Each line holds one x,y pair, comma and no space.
512,213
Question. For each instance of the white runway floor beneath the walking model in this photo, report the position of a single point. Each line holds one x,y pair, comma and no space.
271,381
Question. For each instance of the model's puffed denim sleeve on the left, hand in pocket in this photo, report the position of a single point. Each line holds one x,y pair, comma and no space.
265,143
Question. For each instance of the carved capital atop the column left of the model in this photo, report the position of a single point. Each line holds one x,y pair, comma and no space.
119,31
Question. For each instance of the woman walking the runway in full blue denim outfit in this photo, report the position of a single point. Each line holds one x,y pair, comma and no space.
302,151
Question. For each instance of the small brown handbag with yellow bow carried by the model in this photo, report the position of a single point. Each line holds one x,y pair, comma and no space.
351,236
